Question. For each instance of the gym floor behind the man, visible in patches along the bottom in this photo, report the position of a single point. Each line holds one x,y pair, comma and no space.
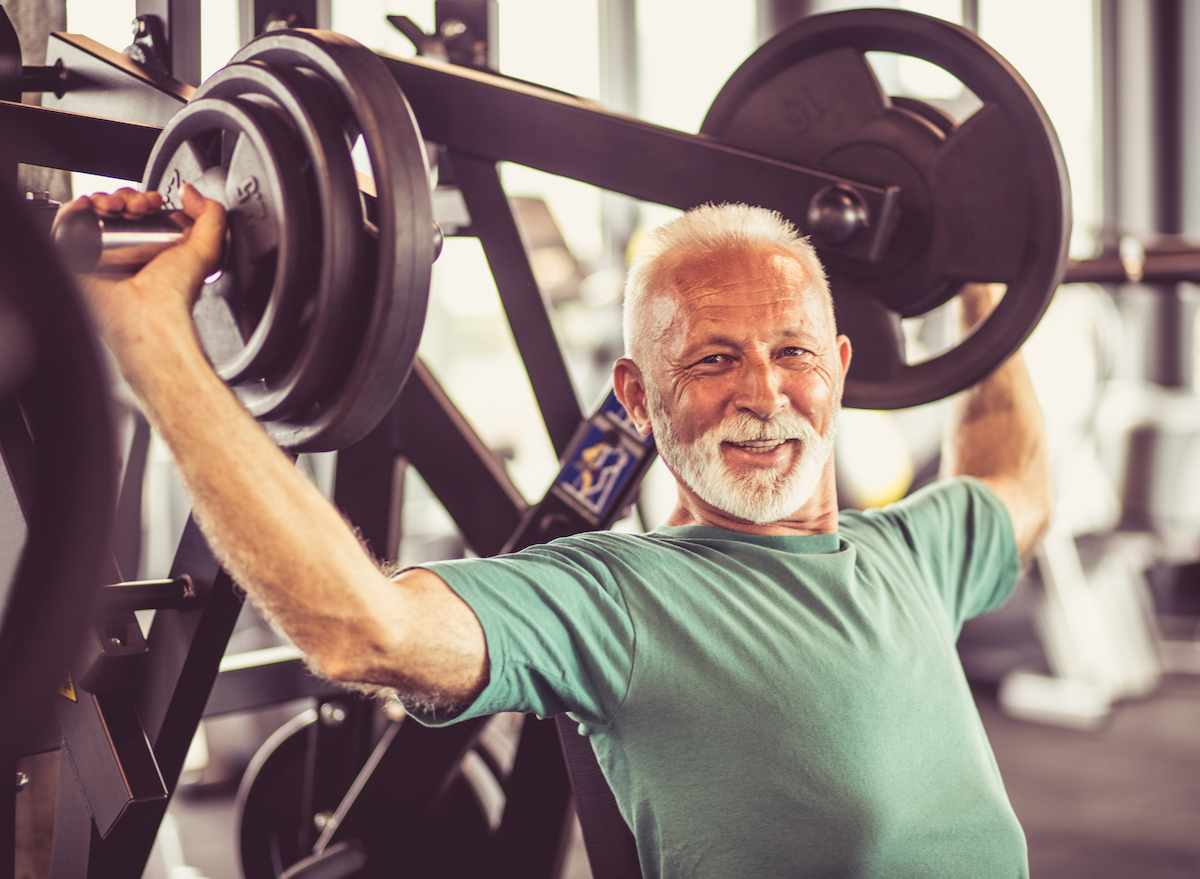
1119,803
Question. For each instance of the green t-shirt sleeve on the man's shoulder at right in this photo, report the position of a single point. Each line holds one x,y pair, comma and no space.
962,539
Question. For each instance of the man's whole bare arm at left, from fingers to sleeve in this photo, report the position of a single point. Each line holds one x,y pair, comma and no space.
271,528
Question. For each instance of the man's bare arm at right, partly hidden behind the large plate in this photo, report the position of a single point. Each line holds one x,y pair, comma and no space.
998,434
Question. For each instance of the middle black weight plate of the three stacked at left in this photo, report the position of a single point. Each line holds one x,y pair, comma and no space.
309,105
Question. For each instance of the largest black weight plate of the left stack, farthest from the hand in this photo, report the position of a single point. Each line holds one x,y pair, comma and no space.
401,238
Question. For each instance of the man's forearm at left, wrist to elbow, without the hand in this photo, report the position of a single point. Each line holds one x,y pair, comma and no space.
268,525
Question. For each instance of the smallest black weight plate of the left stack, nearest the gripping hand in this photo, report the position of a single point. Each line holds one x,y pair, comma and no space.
242,156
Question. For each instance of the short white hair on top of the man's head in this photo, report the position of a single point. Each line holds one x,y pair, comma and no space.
703,231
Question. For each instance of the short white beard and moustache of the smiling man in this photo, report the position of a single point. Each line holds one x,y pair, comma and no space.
759,497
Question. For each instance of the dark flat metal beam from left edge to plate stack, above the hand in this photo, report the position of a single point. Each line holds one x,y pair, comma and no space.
55,139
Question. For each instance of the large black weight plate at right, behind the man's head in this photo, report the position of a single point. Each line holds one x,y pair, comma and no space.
986,201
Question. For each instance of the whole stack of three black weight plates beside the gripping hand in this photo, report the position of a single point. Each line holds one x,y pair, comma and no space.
319,309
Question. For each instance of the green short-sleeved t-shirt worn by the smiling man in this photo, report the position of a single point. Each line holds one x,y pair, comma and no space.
771,707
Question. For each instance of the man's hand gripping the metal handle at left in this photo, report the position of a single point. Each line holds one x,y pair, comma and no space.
151,290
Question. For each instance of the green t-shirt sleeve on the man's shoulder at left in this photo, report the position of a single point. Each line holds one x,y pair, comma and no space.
560,638
